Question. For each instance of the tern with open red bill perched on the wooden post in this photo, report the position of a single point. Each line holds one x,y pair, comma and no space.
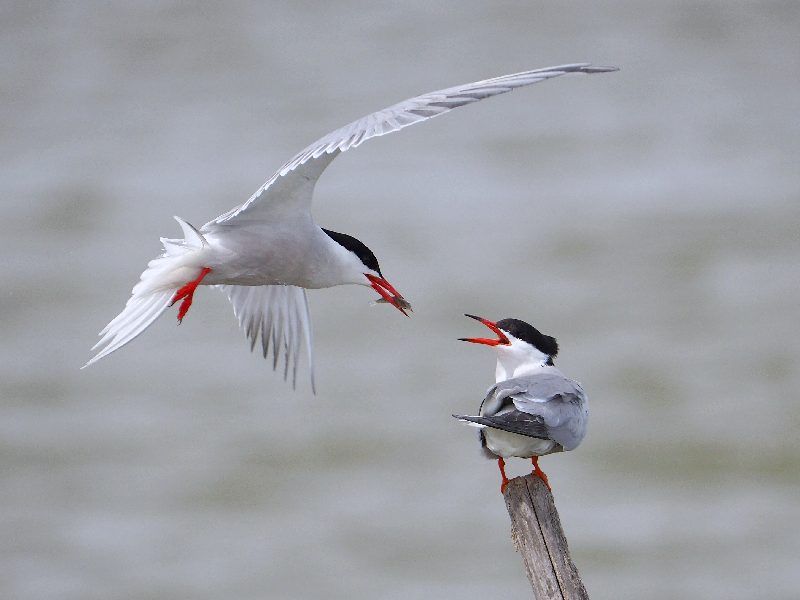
532,409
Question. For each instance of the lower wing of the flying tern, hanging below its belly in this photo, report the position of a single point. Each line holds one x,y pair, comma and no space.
278,314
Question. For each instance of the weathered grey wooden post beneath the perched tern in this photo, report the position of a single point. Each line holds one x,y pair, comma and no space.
538,537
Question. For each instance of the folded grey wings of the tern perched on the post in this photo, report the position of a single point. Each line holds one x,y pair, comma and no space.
547,406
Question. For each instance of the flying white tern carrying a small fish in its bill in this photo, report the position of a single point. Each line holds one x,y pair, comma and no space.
266,252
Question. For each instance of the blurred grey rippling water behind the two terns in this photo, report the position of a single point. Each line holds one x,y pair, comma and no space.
647,218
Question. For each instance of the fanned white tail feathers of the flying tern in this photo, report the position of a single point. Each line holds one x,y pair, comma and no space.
180,263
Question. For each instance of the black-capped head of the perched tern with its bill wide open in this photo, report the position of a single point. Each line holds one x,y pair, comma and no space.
520,346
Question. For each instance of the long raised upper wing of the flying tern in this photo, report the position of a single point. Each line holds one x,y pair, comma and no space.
294,182
